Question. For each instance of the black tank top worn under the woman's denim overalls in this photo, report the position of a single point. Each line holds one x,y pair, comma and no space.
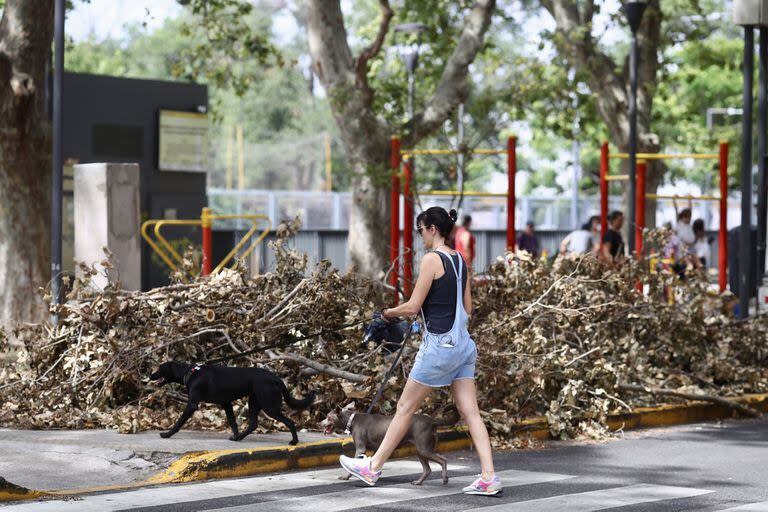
440,305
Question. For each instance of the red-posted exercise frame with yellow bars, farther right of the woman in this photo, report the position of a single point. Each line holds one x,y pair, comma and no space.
641,196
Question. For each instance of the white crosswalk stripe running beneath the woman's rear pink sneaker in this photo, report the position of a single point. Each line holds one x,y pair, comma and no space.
356,496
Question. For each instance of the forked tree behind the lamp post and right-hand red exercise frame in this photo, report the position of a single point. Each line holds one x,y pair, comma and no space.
607,73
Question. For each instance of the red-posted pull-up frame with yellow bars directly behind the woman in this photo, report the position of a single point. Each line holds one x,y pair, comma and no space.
404,158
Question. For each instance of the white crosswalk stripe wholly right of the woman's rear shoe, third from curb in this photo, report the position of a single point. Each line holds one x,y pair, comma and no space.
598,500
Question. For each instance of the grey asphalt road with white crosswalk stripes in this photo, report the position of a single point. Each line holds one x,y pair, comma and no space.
706,467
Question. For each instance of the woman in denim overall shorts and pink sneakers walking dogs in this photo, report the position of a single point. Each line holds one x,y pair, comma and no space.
447,354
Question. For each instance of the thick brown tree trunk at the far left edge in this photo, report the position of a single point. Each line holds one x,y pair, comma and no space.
26,31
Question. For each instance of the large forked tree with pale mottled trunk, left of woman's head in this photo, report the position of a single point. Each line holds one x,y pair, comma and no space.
364,130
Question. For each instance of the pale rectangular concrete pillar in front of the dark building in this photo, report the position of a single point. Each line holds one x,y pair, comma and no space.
107,215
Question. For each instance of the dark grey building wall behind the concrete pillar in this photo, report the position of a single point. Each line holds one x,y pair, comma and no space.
109,119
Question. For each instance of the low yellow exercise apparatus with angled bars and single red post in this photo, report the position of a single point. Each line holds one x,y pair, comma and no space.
171,257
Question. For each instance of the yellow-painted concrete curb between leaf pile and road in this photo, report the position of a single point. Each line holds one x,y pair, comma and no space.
196,466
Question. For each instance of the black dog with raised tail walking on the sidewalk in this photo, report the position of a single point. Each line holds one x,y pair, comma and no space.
223,384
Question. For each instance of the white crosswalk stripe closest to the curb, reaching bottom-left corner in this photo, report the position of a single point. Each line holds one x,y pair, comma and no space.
210,490
